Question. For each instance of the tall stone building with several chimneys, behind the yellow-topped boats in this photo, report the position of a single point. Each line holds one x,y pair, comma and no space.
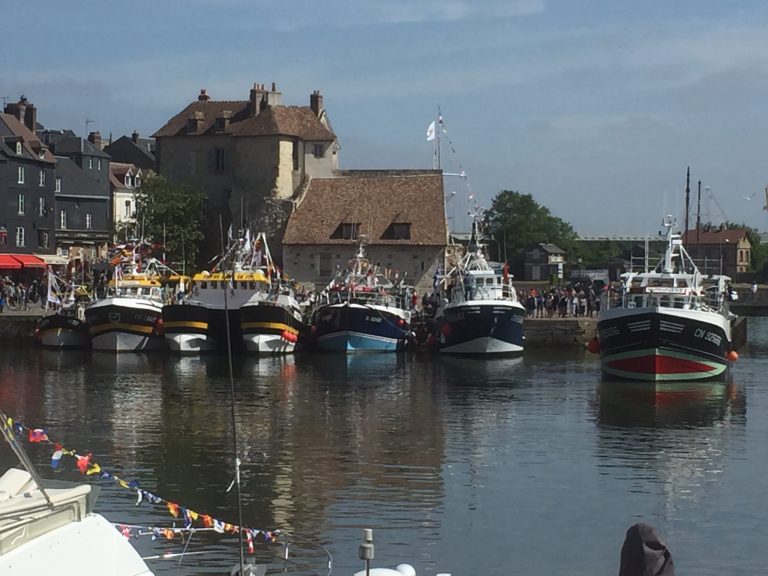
251,157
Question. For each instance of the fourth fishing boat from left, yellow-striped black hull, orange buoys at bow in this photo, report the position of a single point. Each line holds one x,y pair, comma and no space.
272,323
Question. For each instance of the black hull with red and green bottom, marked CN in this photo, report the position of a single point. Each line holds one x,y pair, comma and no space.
663,345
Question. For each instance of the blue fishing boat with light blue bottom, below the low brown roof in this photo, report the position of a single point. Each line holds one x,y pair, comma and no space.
362,310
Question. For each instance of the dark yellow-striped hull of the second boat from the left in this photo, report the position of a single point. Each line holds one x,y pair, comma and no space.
125,325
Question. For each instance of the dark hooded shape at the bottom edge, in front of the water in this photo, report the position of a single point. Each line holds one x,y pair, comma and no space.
644,554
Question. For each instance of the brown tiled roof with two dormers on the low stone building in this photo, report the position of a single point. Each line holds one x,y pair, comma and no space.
374,200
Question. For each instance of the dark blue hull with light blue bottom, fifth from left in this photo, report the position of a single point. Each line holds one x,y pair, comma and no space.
351,327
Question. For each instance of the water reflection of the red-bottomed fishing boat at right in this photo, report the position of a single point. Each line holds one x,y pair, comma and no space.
666,439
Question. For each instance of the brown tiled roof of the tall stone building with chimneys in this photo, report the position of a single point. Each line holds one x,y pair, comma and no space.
278,120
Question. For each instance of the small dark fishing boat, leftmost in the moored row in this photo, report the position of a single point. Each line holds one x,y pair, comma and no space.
63,323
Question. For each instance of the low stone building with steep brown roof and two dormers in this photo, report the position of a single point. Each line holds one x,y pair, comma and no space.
399,214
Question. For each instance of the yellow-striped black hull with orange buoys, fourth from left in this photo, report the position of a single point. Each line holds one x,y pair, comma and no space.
269,328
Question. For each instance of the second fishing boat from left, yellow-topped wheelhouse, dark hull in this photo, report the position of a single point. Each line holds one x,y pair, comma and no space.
129,319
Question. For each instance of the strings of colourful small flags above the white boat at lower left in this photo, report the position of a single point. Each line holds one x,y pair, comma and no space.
193,520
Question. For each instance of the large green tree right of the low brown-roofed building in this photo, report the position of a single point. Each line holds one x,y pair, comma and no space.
516,221
